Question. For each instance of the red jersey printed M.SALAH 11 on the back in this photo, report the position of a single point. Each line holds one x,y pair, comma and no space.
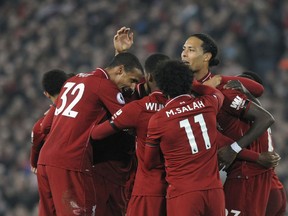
186,132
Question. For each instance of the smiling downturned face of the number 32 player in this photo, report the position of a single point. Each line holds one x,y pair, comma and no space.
129,79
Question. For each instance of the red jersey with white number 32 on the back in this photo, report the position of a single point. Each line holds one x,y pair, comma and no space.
83,100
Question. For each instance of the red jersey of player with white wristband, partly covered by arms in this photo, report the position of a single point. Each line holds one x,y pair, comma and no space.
231,124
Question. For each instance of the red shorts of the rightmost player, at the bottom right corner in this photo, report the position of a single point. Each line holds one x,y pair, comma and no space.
276,203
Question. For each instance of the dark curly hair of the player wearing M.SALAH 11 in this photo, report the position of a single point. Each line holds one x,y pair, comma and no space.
173,77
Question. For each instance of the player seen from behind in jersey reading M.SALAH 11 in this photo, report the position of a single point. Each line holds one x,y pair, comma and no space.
185,130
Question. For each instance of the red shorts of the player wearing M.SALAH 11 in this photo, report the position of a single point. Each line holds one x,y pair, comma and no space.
207,202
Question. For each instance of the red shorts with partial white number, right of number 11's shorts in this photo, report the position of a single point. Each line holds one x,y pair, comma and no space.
247,196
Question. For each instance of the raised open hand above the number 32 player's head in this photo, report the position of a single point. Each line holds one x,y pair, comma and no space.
123,40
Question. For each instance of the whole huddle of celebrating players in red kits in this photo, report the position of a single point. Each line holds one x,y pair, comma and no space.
123,140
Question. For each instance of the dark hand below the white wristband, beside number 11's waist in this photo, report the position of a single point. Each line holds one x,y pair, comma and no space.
226,156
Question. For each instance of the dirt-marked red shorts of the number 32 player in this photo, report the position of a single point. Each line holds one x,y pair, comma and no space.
65,192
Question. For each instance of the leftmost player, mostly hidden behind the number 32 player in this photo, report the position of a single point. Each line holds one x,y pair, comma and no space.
52,83
